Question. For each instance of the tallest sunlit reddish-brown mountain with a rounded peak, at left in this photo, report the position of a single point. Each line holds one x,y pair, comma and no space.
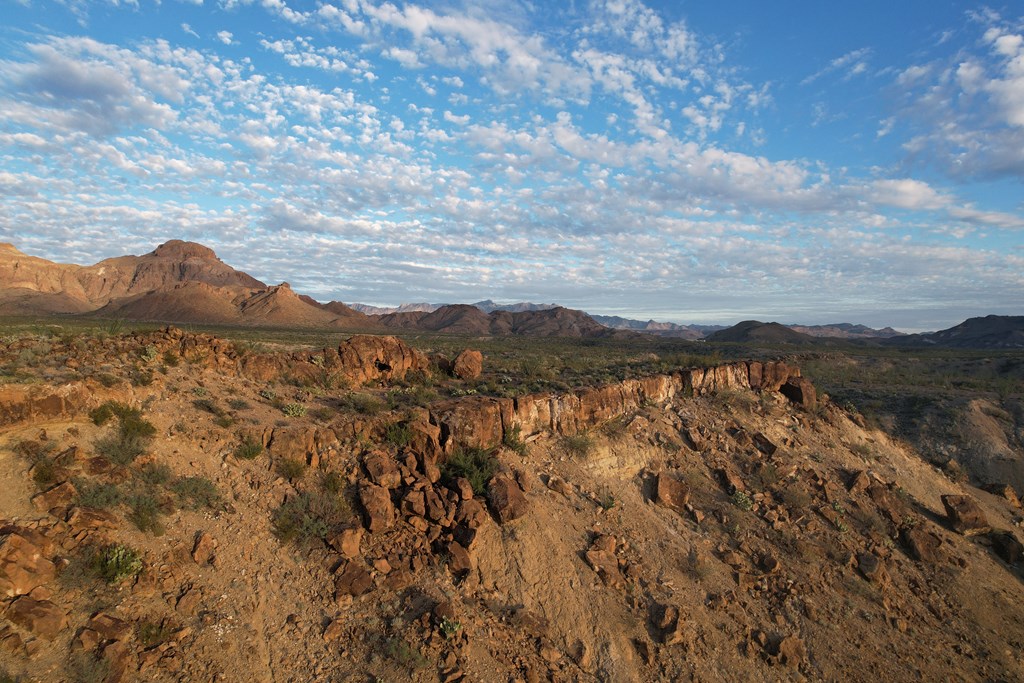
179,282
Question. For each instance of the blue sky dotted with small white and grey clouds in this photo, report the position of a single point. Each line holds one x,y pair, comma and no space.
802,162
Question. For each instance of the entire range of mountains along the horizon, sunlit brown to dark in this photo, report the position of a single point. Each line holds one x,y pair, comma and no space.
184,282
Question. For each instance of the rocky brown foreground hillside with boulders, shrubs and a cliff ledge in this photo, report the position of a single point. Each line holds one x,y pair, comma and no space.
179,507
